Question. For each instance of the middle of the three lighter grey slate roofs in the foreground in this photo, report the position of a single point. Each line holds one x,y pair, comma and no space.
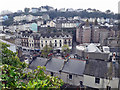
54,65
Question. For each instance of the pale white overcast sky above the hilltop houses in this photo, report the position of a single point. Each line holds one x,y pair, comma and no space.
102,5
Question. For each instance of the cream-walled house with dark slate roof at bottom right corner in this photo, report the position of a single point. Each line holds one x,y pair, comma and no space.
97,74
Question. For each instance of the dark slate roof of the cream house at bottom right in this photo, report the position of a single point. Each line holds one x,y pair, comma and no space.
99,69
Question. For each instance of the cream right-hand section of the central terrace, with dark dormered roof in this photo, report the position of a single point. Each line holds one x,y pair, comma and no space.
56,41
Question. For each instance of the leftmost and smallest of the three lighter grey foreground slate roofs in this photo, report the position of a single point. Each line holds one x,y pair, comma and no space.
38,62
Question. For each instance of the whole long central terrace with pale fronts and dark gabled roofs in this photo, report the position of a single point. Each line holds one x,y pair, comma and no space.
36,41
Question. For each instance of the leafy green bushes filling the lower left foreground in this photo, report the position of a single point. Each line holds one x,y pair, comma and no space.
15,74
